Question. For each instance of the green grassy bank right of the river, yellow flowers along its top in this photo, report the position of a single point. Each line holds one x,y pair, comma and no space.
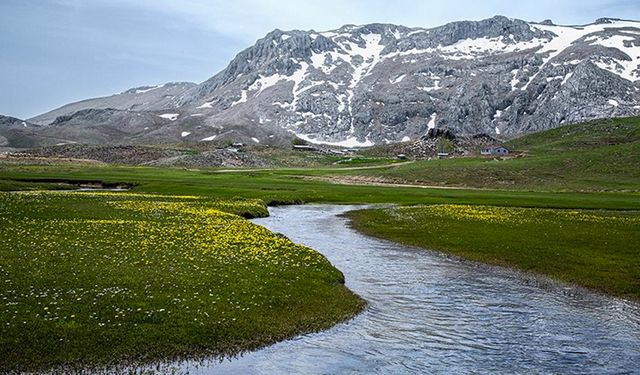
595,249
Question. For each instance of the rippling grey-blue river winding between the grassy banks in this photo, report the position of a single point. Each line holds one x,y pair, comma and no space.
430,313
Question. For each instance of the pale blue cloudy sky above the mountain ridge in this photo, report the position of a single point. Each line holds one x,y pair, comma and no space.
53,52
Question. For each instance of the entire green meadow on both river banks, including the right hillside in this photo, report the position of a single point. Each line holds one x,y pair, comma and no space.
90,279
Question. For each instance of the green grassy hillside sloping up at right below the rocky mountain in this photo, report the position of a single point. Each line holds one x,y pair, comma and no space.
594,156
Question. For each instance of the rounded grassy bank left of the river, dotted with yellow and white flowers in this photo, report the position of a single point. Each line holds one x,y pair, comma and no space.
93,279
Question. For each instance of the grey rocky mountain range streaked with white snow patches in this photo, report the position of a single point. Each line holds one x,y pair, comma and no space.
380,83
